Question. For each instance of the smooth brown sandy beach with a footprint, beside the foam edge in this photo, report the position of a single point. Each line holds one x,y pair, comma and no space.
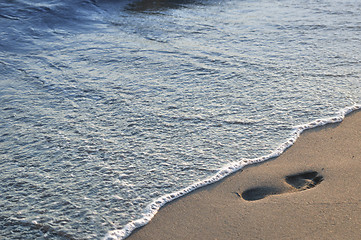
312,191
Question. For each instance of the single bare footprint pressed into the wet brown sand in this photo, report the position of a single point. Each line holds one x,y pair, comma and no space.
298,182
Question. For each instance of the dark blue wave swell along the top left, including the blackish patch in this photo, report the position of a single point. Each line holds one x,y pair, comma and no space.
26,20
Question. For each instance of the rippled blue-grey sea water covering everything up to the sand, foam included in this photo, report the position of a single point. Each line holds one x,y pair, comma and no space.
110,108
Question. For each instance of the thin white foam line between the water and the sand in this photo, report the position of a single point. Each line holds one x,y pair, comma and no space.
225,171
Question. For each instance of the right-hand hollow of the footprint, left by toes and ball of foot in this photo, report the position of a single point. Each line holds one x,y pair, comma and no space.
305,180
